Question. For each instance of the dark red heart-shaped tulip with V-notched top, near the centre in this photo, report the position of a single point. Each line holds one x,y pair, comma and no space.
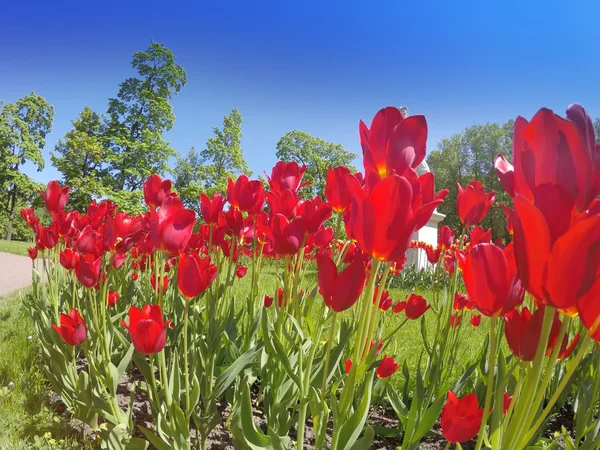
340,290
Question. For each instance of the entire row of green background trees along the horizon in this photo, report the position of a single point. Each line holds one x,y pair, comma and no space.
110,154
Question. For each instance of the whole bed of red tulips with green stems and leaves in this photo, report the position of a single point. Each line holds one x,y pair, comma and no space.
112,278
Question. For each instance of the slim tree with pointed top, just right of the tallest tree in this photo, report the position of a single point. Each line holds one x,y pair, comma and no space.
223,157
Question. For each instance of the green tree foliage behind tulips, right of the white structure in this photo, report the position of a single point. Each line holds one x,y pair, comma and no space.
470,156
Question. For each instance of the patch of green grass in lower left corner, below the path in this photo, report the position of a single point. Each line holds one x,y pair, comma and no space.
26,420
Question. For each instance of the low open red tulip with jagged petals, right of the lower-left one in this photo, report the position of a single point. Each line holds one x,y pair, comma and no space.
147,329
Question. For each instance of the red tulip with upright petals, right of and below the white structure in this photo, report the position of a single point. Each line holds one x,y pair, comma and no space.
491,279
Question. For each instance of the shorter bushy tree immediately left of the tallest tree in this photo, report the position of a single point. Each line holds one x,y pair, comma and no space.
80,157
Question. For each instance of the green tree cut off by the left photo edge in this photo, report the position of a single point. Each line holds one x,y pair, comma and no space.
24,126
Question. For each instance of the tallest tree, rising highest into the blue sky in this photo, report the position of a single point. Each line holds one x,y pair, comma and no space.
139,116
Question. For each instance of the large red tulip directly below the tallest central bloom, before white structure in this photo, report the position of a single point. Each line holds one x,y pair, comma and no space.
383,221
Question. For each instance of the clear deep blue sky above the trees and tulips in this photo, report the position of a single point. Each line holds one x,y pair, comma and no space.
313,66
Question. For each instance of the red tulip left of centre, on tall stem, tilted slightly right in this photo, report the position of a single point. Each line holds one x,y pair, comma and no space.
194,274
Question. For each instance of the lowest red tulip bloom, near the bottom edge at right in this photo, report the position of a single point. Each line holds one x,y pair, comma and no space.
461,418
